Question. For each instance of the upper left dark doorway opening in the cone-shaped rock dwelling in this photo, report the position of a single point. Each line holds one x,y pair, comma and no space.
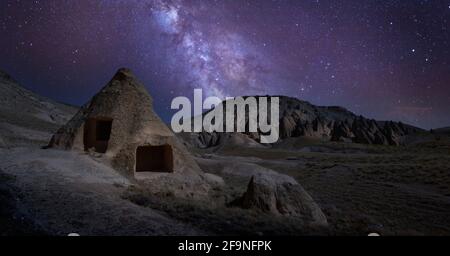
97,132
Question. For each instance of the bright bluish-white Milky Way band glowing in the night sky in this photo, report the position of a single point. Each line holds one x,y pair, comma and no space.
214,58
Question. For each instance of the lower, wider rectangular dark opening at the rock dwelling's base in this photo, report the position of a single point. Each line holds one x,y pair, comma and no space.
154,159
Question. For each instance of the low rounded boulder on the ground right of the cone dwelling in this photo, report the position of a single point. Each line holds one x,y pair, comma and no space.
280,195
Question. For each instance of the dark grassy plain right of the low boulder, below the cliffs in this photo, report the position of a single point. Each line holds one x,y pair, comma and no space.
391,190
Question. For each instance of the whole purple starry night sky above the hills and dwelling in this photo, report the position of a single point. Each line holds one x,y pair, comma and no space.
388,60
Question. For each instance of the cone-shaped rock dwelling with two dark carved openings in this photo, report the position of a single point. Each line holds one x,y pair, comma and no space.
120,123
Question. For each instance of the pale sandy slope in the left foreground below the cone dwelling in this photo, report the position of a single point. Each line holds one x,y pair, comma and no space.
56,192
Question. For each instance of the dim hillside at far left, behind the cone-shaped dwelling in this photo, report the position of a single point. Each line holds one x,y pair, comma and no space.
26,116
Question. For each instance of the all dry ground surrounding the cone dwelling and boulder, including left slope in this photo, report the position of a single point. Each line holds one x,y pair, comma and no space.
392,190
